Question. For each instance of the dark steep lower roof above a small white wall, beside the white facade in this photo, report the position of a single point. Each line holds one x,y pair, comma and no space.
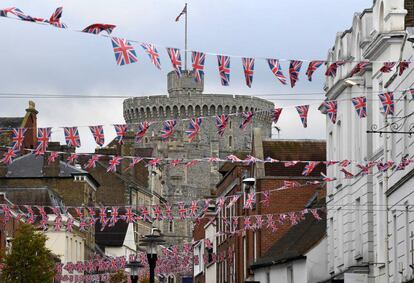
296,242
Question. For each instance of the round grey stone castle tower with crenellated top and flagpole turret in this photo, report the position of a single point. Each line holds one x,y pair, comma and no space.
186,100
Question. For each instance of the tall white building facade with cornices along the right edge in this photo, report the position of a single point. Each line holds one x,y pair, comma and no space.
369,222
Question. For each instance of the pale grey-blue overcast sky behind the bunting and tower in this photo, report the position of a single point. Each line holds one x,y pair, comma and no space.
38,59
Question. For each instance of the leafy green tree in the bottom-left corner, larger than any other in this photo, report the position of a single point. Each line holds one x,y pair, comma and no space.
29,259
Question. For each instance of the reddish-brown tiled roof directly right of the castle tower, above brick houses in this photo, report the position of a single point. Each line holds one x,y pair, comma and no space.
289,150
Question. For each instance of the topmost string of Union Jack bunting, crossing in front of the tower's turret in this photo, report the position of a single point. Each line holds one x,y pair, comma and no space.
125,54
